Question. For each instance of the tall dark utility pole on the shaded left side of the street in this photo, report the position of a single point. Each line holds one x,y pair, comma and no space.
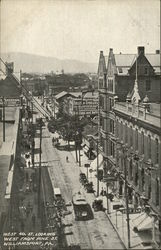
39,185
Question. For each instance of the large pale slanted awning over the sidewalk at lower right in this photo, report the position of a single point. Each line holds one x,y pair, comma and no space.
143,222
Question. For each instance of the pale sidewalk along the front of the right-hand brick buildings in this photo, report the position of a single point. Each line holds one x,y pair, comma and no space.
117,219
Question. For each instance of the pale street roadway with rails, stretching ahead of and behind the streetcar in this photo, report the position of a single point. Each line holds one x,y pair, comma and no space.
97,233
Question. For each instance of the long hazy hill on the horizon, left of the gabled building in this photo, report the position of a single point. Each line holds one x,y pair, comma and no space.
41,64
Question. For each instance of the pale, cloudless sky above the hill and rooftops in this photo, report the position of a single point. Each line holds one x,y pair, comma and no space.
79,29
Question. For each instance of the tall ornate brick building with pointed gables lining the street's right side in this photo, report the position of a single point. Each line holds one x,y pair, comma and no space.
129,123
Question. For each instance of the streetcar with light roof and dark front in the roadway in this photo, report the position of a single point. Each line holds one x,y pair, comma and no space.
81,207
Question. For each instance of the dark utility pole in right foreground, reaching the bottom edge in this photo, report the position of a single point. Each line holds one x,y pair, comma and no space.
126,197
